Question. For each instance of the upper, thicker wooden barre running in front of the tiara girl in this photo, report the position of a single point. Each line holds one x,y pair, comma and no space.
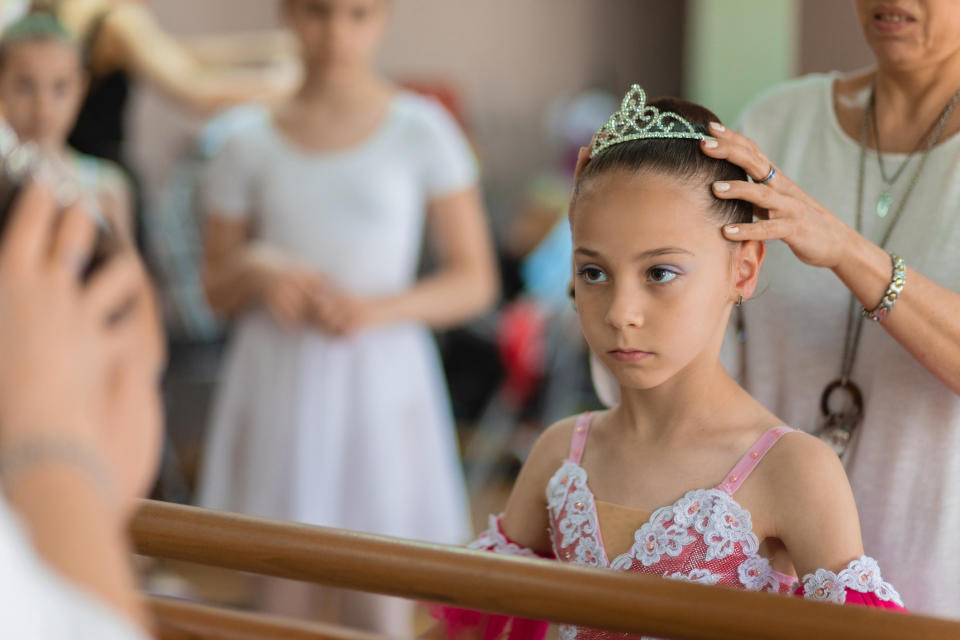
538,589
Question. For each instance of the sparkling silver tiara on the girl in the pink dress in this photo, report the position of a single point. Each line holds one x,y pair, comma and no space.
636,120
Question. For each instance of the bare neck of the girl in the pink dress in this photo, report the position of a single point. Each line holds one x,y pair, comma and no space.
691,401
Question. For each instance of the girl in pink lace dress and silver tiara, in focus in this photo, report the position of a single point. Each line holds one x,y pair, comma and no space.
687,477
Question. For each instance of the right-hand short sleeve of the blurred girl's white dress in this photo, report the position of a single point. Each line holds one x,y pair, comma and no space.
448,161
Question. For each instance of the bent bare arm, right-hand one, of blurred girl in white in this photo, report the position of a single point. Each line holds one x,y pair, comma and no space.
464,286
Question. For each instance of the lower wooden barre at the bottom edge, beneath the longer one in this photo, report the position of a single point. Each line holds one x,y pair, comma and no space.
178,620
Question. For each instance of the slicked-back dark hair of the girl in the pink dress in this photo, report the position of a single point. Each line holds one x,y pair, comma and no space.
679,158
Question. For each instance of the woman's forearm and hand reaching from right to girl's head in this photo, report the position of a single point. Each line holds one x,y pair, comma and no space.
926,318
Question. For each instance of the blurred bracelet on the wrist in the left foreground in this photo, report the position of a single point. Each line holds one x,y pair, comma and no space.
26,455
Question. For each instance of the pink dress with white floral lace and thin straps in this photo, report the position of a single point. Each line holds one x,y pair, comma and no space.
704,537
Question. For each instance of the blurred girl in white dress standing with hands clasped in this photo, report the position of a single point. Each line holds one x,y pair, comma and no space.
332,409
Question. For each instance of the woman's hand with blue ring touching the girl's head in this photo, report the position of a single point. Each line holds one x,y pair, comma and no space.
785,211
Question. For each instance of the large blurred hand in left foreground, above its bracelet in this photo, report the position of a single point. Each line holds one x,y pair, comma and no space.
81,361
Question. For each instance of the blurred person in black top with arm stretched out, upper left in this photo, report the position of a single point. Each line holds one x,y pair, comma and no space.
122,44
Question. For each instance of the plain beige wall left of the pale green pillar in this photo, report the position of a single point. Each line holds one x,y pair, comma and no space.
508,59
